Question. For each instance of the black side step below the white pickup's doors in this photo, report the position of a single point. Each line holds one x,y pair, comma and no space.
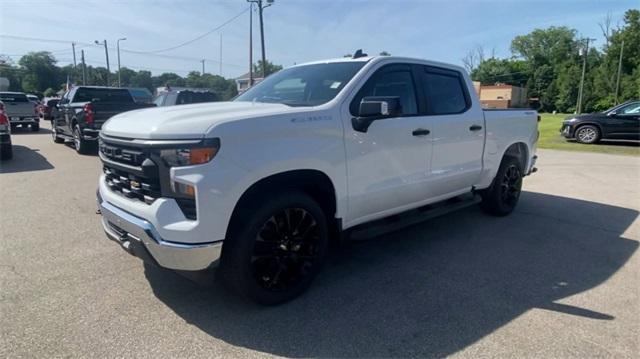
410,218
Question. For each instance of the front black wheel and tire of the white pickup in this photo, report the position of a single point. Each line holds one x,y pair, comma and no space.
265,257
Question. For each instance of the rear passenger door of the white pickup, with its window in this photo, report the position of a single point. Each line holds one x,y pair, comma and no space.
458,131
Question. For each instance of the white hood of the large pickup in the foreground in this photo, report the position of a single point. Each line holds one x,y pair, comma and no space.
186,121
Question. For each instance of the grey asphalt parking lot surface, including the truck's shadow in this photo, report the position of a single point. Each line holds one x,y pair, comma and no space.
558,278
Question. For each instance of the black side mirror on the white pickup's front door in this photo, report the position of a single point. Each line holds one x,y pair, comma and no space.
374,108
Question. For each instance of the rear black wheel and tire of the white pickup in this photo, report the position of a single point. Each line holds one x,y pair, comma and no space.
502,197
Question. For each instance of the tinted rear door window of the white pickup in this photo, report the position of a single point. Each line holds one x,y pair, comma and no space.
445,92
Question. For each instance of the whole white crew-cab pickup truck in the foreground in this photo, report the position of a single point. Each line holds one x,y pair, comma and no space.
260,185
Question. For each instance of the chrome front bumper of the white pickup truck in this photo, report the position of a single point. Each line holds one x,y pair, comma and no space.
138,237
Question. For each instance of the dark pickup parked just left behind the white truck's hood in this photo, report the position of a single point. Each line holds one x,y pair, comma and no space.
84,109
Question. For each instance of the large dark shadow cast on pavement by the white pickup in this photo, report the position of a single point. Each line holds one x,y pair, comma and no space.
429,290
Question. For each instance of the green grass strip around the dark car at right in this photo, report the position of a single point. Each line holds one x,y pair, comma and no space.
550,138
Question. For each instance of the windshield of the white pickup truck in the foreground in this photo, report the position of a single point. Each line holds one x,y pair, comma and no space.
308,85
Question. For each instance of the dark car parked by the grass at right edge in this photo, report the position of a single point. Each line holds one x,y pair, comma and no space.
621,122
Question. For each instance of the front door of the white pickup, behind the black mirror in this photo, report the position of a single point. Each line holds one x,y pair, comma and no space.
387,165
